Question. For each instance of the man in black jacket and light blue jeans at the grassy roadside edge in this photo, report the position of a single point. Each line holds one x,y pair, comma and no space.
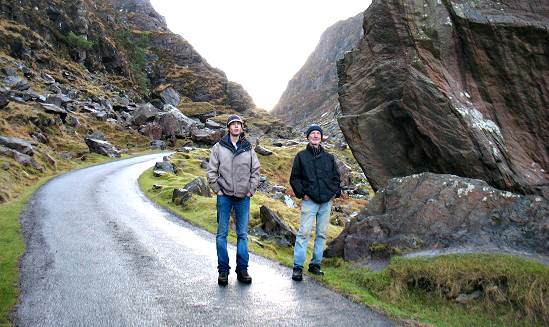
315,179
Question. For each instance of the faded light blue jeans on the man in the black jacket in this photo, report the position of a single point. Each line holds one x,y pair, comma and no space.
311,212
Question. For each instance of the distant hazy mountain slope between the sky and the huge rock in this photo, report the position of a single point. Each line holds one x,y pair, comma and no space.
311,95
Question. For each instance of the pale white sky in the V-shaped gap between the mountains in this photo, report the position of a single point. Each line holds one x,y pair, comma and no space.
259,44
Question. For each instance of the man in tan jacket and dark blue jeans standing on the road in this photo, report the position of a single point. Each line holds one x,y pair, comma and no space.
233,174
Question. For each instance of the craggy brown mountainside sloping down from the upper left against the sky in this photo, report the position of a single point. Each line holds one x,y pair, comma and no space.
121,37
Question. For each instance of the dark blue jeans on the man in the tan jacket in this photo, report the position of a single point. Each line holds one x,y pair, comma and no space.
242,210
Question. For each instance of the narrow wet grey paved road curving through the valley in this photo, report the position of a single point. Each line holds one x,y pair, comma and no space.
100,254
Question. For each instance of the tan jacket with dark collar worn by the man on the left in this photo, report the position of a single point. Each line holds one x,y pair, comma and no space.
234,172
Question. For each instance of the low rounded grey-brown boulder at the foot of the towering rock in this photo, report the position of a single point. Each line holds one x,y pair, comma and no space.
427,211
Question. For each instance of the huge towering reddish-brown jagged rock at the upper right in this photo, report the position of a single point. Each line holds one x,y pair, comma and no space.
456,87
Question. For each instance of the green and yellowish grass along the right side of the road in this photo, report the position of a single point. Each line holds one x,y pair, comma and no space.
419,289
